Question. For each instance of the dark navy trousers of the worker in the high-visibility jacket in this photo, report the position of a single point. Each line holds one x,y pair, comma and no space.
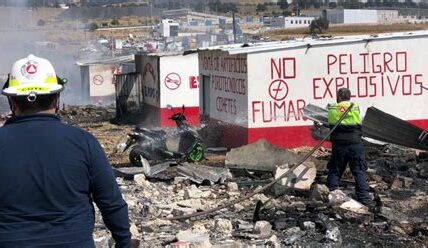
354,155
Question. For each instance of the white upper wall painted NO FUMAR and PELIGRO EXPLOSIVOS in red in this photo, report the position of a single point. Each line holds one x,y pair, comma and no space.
387,74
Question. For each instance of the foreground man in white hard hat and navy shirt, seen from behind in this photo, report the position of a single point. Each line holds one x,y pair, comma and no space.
50,172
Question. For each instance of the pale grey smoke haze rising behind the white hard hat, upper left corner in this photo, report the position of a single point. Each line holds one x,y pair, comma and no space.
21,34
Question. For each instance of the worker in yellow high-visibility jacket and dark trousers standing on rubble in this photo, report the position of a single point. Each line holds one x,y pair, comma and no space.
347,146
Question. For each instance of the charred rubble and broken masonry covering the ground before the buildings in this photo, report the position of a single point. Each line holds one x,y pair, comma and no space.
292,216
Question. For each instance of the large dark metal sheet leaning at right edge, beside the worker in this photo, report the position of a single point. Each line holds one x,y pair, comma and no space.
388,128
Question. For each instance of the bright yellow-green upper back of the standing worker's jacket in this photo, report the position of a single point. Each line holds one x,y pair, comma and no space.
336,110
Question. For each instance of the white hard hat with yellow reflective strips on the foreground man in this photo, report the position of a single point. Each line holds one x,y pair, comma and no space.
32,76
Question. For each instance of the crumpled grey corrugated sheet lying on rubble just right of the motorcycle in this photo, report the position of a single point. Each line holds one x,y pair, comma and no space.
202,173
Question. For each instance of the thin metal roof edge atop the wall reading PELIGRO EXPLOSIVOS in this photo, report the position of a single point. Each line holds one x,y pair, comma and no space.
309,42
